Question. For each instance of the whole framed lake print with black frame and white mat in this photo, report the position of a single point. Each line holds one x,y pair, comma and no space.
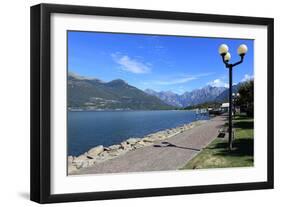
133,103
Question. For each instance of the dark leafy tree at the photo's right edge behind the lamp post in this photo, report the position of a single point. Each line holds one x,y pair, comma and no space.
246,99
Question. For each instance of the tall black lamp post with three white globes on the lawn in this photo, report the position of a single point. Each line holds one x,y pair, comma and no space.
223,50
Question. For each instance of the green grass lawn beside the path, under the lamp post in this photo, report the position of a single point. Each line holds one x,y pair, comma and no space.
217,155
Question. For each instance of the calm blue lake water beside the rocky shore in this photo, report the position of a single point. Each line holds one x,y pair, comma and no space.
89,129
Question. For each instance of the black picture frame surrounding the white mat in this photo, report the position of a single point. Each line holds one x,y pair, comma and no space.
40,175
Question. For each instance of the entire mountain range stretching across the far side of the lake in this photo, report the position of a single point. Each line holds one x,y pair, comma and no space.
94,94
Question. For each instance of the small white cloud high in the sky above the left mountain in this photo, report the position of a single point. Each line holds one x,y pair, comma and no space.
130,64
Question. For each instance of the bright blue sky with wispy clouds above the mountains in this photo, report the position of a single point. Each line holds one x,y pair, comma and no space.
161,63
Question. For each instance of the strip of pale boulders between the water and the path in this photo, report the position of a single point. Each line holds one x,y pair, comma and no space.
100,153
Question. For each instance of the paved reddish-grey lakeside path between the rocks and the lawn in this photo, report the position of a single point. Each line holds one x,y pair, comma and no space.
170,154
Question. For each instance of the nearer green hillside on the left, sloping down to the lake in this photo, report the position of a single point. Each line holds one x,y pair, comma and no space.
93,94
